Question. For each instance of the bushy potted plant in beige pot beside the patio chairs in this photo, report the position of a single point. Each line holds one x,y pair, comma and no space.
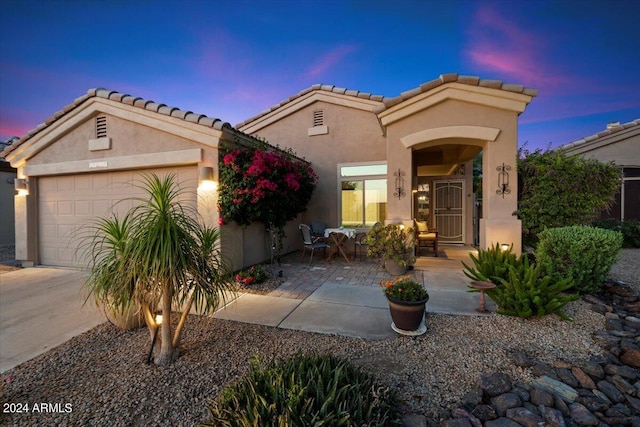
394,243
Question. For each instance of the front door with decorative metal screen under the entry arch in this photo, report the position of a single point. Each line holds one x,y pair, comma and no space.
449,210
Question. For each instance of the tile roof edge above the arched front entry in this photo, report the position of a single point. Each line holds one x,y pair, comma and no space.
455,78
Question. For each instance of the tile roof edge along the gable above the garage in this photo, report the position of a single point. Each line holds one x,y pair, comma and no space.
129,100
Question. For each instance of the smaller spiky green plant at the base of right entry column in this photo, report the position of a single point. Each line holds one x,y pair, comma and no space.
491,264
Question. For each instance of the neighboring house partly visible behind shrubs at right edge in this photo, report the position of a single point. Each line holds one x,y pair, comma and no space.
618,143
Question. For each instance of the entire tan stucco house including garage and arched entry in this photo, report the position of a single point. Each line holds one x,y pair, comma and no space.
377,158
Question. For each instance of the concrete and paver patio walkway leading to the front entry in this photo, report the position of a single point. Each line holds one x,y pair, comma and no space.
344,298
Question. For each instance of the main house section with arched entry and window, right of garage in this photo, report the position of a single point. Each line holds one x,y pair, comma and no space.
396,159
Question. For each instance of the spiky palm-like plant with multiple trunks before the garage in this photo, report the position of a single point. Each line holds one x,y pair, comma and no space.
158,255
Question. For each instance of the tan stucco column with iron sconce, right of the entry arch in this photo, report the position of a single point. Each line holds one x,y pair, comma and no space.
499,223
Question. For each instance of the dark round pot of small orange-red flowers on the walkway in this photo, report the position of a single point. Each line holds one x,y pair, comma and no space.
407,299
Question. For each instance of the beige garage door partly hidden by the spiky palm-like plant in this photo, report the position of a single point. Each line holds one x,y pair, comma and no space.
69,204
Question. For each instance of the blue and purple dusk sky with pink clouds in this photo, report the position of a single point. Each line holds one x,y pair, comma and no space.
233,59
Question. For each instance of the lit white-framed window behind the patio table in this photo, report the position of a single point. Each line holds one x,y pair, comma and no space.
363,194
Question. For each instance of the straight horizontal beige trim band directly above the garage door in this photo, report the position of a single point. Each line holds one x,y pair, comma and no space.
167,158
